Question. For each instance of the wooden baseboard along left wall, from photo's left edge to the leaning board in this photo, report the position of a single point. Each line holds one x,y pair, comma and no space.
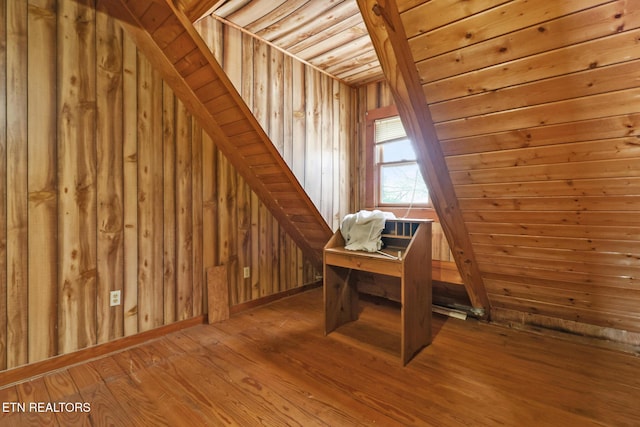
25,372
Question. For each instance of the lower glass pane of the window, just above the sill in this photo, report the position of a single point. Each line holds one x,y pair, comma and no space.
402,184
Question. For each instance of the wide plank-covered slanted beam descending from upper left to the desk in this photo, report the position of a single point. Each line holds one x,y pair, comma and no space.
174,47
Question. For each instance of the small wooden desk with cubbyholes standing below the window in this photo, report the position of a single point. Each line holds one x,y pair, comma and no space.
413,239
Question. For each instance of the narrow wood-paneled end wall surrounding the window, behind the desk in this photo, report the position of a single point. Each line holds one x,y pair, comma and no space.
370,97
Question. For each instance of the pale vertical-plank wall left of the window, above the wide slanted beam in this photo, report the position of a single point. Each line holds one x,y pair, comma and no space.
307,114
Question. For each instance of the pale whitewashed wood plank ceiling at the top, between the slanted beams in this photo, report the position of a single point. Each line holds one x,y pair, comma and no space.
327,34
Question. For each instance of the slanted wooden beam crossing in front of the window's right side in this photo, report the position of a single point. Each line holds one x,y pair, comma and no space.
387,34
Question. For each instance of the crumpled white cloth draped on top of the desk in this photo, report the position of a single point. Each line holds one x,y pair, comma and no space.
361,231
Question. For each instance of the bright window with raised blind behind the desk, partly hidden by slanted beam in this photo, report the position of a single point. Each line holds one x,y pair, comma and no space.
397,177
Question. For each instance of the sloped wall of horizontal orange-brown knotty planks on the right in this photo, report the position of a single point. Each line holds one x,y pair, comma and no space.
536,109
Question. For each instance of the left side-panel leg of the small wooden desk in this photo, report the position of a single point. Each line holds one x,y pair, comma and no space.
340,297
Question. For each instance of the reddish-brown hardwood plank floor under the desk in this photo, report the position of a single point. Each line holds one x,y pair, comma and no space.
272,366
